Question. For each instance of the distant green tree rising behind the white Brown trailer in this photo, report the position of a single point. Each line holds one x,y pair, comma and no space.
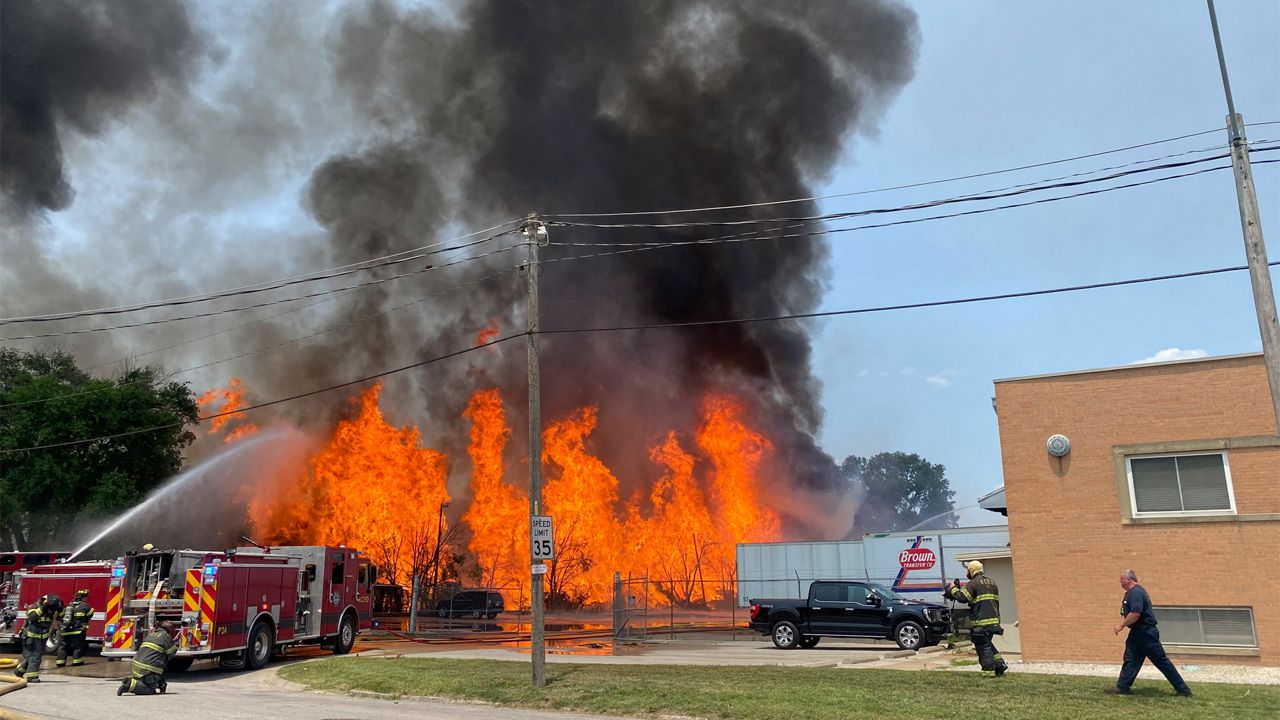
898,491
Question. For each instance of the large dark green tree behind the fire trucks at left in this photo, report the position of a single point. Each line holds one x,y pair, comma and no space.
45,399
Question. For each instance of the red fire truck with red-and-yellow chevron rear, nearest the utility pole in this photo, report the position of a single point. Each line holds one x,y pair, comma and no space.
243,605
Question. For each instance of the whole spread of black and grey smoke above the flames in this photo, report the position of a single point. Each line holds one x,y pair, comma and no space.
418,120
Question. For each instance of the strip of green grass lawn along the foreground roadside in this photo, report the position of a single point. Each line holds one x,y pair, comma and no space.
780,694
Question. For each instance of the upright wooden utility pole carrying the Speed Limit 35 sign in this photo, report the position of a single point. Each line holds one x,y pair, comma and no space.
536,235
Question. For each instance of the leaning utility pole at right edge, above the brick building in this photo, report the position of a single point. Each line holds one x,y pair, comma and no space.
1255,248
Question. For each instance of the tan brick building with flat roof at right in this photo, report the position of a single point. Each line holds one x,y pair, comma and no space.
1173,470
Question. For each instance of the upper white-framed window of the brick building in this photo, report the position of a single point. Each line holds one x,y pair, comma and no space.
1181,485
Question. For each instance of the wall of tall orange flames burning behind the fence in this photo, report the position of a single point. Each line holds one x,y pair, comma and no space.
374,487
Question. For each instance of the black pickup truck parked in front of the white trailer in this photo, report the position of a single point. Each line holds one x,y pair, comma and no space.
851,609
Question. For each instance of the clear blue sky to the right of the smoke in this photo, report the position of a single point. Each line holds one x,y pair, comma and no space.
1002,85
